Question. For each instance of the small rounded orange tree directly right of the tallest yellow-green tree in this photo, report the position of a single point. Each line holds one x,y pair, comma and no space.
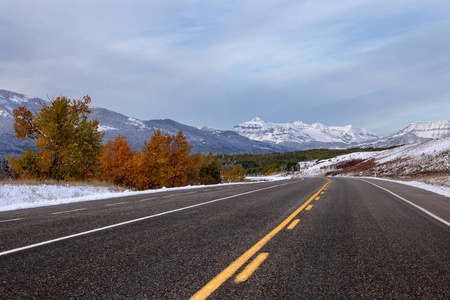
116,162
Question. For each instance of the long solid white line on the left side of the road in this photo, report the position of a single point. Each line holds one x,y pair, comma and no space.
132,221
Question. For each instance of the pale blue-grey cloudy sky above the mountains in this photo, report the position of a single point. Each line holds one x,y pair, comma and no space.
378,65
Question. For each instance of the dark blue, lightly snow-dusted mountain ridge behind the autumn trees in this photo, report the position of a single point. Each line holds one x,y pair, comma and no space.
136,131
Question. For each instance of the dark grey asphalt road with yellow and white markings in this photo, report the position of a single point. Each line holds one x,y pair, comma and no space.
356,241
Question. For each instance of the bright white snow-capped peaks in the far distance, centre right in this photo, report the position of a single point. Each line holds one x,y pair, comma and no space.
300,135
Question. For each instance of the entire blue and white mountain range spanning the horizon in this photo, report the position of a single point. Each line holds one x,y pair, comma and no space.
255,136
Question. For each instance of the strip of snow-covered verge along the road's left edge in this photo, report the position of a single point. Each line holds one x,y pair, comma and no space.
14,197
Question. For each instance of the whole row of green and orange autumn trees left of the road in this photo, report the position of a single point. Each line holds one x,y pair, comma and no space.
69,147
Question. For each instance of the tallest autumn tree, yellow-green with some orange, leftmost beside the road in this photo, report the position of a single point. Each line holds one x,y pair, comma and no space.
68,144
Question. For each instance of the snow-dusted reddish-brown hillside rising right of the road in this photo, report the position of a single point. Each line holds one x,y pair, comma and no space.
431,158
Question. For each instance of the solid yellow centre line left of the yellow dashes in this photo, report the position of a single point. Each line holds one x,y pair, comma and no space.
223,276
